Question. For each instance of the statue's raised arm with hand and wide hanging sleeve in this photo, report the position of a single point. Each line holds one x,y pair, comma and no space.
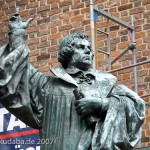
16,75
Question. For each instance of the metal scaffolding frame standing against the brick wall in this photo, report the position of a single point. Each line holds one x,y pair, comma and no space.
95,11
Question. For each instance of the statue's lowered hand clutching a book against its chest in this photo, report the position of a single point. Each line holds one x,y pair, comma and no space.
88,106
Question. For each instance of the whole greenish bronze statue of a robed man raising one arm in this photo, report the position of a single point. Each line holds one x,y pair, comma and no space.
83,108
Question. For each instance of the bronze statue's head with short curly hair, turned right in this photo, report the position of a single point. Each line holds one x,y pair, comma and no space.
75,50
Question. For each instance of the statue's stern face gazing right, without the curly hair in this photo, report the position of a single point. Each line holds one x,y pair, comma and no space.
83,55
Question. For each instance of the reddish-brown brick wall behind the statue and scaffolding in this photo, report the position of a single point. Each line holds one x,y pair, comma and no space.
54,19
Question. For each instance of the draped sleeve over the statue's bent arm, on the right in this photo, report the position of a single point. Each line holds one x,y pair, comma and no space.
132,109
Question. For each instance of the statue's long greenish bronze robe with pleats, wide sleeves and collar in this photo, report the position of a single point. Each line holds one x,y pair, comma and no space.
47,103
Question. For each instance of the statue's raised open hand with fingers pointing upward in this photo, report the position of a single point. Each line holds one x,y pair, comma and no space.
15,22
